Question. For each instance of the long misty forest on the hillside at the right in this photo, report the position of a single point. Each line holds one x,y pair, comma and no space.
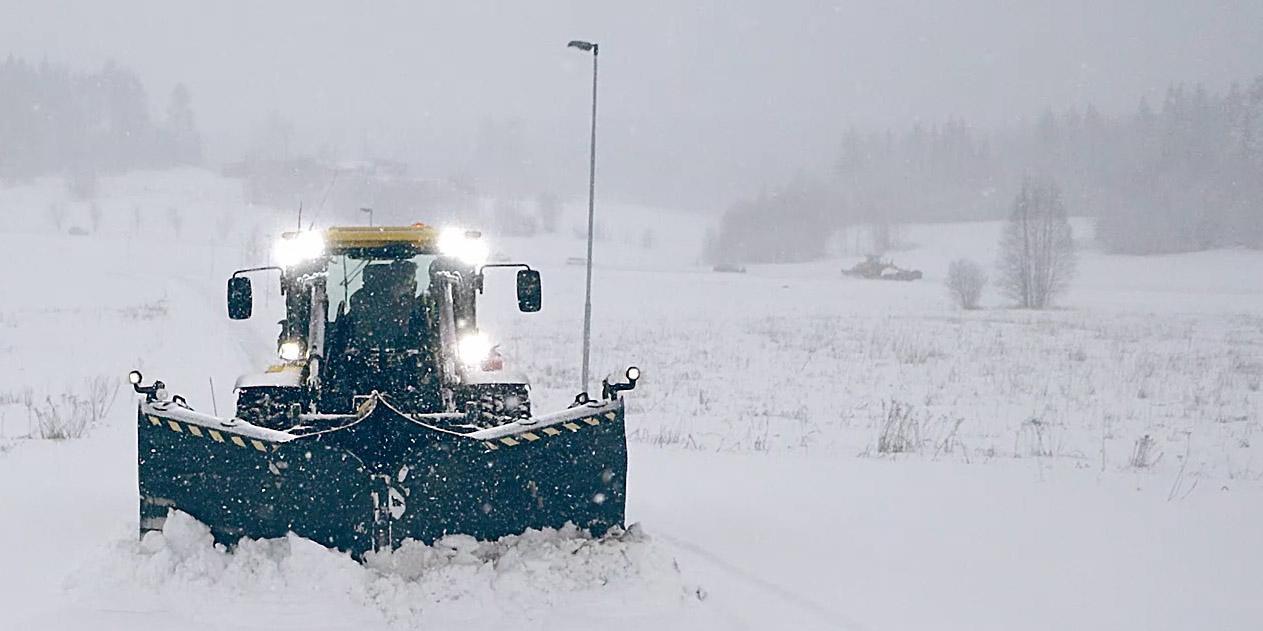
1187,175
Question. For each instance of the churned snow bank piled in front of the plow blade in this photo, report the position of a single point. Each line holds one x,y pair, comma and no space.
529,579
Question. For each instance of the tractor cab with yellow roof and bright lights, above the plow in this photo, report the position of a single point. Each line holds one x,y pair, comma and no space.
381,311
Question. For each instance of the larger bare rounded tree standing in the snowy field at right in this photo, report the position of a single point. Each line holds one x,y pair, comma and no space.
1038,248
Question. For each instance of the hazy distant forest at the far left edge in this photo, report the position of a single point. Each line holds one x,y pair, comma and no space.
57,122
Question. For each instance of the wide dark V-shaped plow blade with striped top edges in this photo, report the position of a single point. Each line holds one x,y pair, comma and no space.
372,480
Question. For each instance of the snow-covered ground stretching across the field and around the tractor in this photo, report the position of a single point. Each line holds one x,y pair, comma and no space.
1088,468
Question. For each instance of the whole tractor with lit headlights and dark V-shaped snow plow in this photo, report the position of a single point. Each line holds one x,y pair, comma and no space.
388,416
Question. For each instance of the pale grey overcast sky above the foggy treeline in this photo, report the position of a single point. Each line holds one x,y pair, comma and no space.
722,95
